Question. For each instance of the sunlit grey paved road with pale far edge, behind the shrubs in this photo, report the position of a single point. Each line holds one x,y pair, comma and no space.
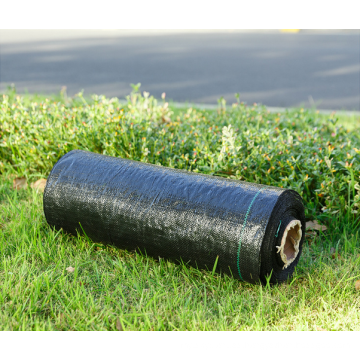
276,69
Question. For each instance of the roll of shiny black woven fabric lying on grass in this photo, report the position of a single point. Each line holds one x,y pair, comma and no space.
254,230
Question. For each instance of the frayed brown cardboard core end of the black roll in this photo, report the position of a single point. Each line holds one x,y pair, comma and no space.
289,247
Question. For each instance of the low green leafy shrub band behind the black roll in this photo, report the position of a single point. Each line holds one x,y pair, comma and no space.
298,149
